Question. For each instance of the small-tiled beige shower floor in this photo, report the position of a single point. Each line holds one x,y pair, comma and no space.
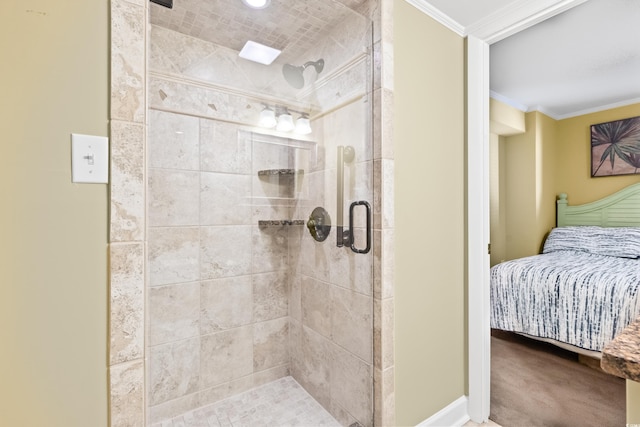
280,403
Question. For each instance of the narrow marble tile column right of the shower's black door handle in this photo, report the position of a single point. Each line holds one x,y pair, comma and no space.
384,234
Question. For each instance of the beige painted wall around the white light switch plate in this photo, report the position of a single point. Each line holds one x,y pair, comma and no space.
53,285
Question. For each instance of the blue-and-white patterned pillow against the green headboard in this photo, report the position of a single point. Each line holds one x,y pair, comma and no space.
621,242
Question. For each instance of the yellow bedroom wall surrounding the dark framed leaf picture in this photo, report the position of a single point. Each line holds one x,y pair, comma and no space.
573,171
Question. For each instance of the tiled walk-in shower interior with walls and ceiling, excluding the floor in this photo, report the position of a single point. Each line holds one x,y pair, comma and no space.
259,190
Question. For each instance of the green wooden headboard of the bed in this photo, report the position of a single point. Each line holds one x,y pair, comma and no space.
621,209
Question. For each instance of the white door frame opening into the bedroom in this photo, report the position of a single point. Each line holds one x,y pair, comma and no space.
517,18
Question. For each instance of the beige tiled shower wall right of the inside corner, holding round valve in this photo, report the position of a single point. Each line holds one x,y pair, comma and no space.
331,325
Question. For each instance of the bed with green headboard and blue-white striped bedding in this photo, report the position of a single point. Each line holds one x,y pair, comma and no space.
584,288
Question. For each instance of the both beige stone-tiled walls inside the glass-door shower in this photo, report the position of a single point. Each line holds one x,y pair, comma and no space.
222,285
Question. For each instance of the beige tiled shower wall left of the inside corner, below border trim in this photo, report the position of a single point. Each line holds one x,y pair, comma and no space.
218,284
